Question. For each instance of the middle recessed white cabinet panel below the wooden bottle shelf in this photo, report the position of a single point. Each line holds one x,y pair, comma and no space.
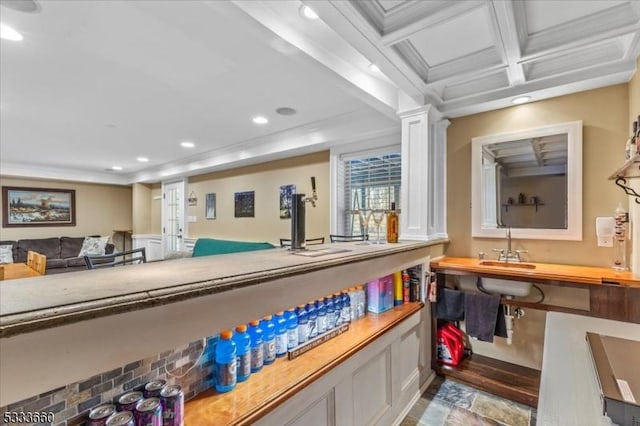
372,389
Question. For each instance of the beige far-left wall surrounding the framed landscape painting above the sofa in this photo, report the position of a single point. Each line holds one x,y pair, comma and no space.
99,210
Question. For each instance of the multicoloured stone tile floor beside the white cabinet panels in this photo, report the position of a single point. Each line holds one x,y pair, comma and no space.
449,403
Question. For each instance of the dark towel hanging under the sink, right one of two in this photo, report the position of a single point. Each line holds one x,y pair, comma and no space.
481,313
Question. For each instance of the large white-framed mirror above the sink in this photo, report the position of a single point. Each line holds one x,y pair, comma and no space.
529,180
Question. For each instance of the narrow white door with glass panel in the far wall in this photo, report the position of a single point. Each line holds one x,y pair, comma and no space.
173,220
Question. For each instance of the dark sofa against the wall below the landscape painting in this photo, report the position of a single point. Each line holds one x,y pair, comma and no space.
62,252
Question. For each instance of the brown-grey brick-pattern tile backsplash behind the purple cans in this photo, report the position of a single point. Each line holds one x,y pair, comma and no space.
71,403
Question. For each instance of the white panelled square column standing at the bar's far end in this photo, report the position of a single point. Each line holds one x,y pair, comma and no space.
423,198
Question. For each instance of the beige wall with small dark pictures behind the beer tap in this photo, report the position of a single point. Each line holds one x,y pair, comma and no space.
265,179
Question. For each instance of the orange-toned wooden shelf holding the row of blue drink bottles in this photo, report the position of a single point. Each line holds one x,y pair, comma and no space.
275,383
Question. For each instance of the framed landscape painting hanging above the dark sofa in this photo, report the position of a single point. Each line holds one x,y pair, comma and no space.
26,207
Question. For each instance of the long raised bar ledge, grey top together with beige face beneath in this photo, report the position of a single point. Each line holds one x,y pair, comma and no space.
90,322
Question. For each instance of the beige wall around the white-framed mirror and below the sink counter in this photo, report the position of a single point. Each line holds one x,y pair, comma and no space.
604,113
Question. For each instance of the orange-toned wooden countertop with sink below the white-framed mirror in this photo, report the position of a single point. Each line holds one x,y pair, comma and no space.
574,274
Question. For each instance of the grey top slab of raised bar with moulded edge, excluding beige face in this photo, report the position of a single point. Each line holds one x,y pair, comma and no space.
47,301
